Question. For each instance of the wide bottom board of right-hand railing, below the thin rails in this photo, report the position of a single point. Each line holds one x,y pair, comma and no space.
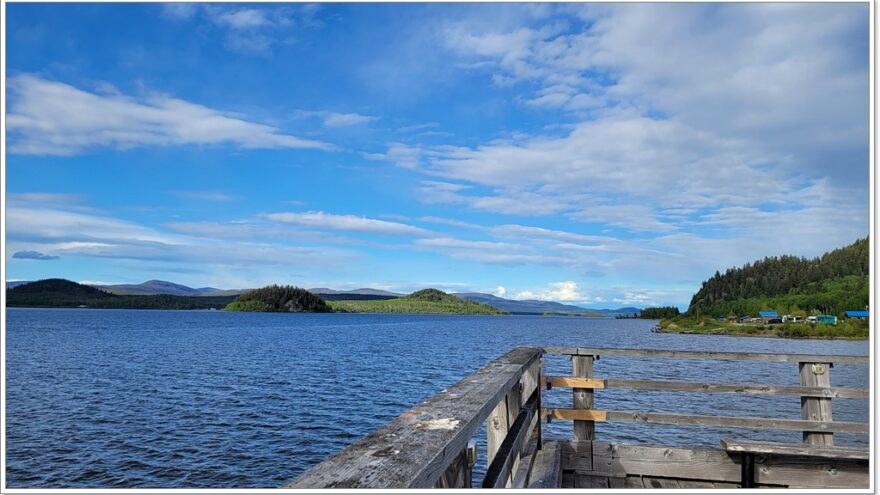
715,466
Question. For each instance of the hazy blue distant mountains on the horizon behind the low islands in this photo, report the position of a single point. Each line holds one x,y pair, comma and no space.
530,306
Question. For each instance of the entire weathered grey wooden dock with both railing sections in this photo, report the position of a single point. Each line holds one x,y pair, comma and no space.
432,444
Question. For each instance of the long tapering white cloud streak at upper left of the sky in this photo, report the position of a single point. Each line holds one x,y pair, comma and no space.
53,118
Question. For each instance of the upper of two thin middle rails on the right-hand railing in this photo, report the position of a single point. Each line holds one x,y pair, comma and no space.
678,386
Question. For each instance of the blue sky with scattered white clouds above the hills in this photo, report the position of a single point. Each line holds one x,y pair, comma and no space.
604,155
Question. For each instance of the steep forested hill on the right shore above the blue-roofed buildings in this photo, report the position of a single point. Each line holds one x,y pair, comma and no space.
832,283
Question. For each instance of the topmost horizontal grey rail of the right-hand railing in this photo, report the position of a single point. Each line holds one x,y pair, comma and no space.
705,355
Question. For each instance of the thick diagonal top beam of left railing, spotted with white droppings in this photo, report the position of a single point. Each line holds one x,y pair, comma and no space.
414,450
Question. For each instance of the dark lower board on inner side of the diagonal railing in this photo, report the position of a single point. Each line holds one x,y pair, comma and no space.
500,471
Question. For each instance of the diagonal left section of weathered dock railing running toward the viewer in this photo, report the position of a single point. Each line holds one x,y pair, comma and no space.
428,446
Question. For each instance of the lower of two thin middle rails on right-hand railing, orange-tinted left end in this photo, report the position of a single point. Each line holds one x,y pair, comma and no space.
701,420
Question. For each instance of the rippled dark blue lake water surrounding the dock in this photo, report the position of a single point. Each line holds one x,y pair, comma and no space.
127,399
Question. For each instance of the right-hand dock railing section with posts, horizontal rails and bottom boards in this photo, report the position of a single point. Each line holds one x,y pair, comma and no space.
815,423
